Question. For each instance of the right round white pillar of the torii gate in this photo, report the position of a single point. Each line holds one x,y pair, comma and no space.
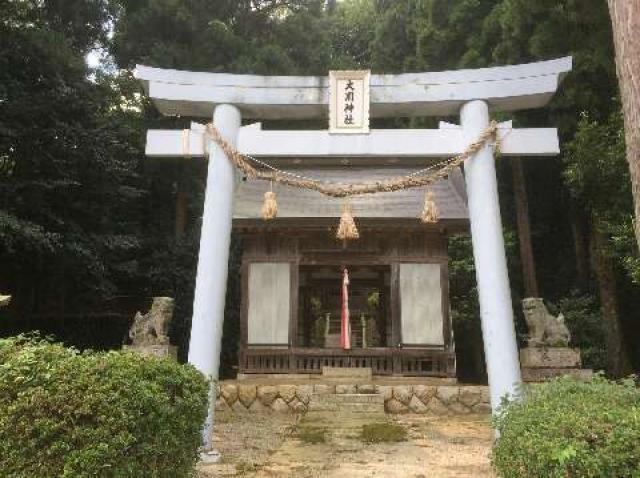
496,312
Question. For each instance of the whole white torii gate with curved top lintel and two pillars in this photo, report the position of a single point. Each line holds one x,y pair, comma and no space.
469,93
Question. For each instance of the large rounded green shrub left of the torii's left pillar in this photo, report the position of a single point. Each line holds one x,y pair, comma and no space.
69,414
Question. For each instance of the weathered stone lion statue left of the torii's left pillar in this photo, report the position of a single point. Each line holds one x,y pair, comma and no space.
152,328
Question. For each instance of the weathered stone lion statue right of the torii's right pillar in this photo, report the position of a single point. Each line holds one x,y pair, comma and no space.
545,330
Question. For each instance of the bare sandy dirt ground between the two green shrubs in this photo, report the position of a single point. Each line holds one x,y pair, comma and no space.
267,445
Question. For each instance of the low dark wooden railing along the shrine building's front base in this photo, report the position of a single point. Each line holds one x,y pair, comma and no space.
382,361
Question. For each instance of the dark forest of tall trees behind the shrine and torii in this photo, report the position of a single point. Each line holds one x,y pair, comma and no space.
90,229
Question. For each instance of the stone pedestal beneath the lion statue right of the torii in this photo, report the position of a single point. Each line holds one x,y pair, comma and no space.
544,363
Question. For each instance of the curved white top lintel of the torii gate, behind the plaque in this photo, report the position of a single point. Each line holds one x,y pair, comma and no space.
504,88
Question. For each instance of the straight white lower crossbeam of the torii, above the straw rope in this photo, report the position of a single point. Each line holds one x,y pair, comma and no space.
447,141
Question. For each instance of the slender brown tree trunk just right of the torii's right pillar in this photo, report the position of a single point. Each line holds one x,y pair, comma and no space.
524,230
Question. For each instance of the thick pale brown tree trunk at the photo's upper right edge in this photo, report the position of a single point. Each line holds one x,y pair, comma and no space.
625,18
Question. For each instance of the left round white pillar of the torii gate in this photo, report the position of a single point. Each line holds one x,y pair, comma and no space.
213,260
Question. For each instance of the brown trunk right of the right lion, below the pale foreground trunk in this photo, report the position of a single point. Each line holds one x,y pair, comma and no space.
618,363
